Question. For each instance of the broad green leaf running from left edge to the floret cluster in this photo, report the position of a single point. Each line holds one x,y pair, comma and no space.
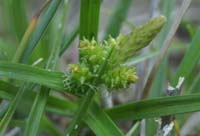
32,74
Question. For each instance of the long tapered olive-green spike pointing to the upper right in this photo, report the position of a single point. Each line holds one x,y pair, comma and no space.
139,38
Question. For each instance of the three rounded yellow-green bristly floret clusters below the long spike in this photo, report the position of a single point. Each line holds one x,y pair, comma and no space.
92,55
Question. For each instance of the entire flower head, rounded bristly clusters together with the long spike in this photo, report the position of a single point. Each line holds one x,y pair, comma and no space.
93,55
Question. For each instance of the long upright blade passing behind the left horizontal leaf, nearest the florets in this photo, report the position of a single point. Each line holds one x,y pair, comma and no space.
34,118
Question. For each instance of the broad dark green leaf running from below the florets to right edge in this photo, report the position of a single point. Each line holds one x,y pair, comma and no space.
155,107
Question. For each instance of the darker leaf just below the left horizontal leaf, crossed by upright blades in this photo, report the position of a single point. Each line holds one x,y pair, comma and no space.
55,104
